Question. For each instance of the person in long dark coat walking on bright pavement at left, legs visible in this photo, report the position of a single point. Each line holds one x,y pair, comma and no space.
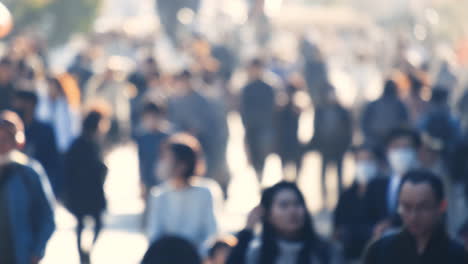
85,173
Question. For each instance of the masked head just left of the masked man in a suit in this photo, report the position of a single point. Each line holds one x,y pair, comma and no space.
367,163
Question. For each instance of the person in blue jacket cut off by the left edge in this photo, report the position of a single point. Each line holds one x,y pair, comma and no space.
26,211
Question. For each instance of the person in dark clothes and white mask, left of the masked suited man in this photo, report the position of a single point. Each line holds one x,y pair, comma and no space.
351,226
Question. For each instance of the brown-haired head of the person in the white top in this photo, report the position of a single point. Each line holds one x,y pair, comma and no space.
180,158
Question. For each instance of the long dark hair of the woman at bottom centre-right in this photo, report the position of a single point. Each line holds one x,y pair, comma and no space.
269,249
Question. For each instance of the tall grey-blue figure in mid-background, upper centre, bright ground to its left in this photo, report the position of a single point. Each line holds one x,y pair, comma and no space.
257,111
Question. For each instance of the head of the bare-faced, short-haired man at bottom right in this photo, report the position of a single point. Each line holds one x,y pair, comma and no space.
421,202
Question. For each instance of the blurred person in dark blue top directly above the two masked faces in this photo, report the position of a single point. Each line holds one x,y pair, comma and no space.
384,115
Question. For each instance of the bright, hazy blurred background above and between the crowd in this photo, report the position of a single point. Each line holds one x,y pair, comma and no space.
359,43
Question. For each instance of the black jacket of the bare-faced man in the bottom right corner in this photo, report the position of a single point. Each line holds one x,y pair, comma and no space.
401,248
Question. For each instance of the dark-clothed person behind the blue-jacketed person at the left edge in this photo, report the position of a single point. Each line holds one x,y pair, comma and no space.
40,137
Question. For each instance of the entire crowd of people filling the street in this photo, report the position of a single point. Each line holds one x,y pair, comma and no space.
407,203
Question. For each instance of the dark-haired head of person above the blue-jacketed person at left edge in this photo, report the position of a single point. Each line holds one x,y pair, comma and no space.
24,104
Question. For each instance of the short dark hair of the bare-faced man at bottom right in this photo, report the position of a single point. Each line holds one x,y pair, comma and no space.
425,177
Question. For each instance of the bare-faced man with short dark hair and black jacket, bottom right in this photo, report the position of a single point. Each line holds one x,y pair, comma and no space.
423,238
